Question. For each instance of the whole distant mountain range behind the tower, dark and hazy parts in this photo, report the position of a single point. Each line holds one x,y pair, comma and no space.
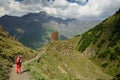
33,29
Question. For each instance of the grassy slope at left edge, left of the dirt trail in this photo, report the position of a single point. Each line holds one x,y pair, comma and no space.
9,49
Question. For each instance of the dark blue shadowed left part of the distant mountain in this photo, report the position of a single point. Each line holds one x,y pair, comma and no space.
26,30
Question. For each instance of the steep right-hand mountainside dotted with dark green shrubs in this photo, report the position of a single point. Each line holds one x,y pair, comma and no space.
102,44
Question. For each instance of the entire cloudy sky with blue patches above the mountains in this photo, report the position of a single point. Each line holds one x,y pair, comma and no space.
81,9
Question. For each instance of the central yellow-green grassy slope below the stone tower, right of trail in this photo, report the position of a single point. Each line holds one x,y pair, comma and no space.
62,62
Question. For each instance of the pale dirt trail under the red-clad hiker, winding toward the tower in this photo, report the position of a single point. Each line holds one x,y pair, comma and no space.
25,75
